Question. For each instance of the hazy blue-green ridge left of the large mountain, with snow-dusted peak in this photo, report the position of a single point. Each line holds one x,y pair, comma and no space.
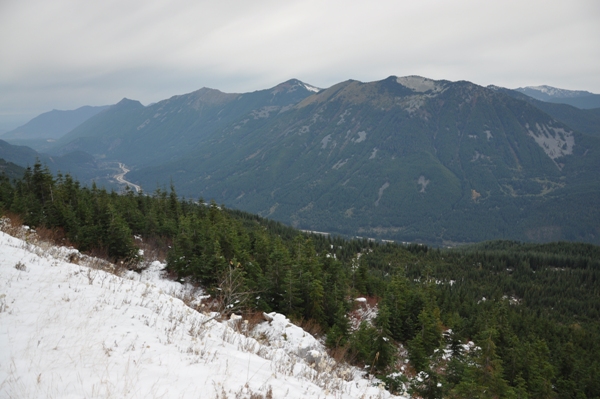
164,131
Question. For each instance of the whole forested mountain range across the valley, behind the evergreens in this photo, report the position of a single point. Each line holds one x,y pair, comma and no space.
404,158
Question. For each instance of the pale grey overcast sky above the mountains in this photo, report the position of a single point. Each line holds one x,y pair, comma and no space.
63,54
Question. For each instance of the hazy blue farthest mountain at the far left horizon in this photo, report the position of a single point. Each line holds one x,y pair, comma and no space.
53,124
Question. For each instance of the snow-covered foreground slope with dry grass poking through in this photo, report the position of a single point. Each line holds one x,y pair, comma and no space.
69,331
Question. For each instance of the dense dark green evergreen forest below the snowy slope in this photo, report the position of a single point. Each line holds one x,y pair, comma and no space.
532,310
